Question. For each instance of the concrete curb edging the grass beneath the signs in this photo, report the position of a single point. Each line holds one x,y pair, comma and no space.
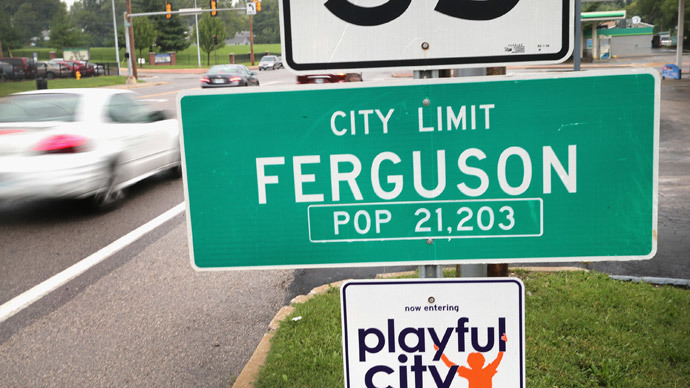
250,371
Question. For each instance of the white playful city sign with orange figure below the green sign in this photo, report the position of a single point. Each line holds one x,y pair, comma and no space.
434,333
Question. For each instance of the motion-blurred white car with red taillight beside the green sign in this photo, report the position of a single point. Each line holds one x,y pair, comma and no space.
82,143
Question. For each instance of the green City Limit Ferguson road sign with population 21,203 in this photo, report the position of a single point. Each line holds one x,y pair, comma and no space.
500,169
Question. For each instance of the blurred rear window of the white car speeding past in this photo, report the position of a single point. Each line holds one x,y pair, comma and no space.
38,107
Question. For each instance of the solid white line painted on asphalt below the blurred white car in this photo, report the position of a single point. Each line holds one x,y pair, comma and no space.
24,300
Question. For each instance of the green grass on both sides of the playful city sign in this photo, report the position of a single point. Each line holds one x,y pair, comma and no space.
582,330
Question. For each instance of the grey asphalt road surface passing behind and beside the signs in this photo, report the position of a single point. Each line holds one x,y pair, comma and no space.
143,317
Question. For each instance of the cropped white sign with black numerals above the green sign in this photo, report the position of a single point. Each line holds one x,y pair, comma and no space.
346,35
